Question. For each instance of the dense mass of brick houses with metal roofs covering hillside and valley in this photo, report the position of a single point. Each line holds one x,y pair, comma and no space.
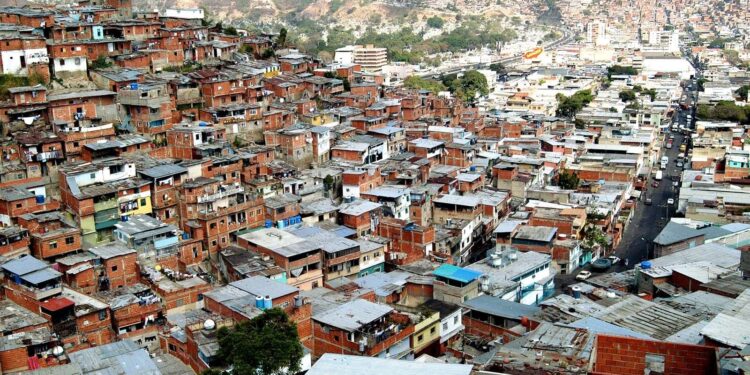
163,179
